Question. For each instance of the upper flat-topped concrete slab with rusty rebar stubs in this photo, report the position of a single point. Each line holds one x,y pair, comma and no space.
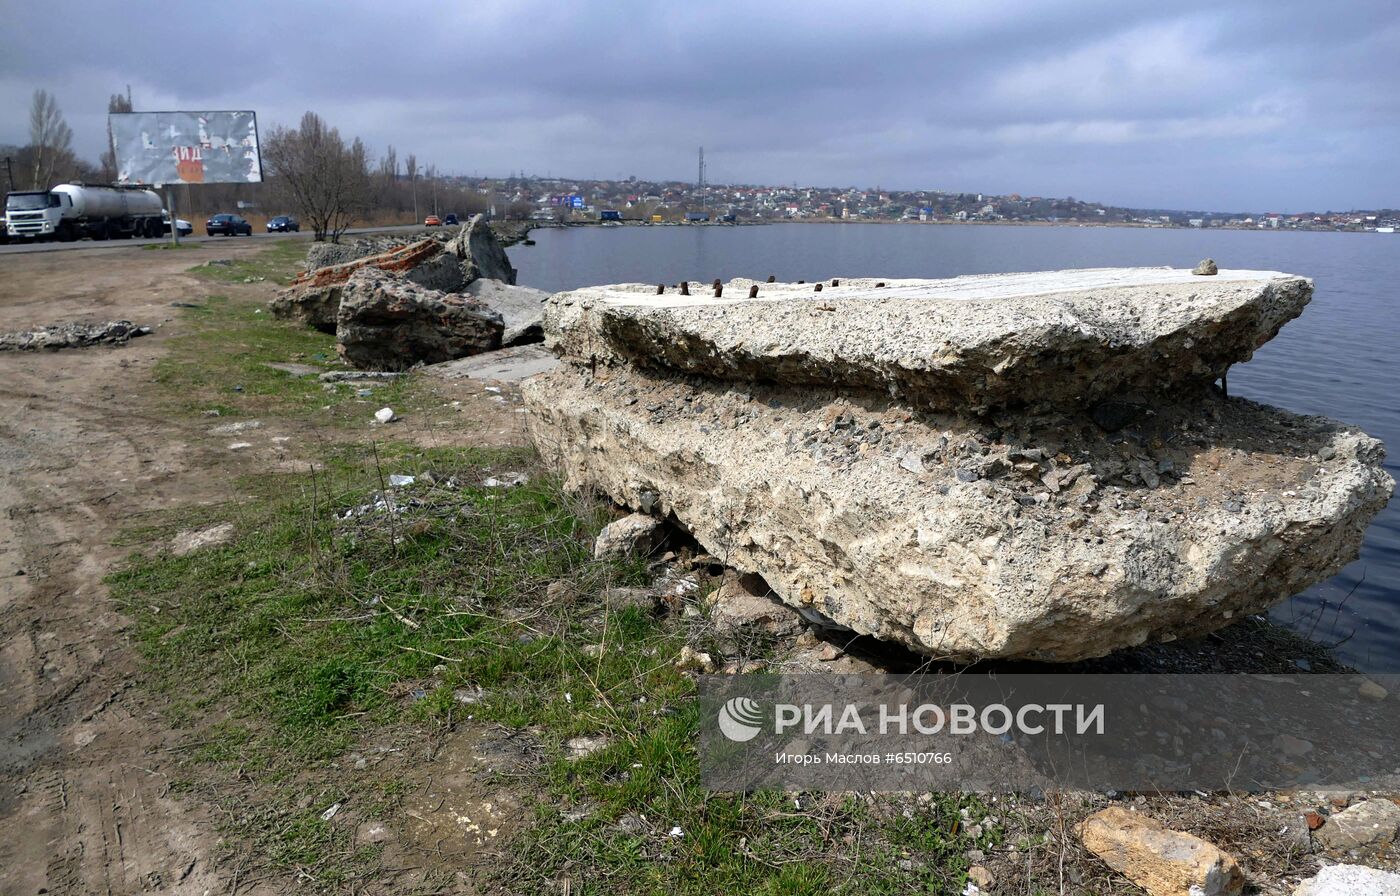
971,344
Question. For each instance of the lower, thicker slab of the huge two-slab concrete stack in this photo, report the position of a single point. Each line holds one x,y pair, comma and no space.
1014,535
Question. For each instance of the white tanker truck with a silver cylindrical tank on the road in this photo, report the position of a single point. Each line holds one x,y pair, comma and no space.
76,211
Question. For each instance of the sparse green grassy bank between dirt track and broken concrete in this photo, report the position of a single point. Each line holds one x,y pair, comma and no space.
356,643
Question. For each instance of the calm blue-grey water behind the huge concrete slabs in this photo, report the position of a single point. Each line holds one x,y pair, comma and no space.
1340,359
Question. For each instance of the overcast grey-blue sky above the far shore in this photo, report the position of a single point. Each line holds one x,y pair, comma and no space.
1272,106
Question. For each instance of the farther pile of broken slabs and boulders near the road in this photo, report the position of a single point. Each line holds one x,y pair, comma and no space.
415,285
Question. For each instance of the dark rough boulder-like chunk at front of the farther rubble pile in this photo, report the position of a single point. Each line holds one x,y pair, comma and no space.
387,323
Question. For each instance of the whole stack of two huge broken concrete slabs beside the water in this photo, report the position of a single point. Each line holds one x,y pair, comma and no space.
997,467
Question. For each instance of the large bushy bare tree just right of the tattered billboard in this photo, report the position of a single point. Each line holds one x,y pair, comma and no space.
316,173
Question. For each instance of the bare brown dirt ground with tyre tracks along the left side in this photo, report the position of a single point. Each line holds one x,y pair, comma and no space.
85,453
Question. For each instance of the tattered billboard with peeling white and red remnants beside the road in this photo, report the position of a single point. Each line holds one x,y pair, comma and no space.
187,148
